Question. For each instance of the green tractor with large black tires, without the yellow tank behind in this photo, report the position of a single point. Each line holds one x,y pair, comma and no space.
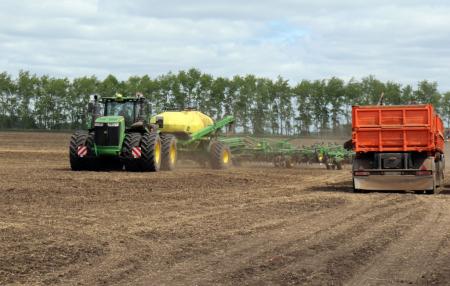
120,136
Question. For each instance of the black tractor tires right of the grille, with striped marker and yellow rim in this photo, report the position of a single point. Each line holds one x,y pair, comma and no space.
150,159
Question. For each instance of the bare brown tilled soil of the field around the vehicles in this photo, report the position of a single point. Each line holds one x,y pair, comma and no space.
253,225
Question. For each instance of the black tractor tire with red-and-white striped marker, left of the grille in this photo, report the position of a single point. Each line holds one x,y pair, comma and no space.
78,139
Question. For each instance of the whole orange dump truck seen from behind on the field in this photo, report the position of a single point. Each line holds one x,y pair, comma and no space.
398,148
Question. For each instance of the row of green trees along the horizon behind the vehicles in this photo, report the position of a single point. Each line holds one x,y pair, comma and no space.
260,105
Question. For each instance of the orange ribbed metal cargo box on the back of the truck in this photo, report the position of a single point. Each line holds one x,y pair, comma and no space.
397,129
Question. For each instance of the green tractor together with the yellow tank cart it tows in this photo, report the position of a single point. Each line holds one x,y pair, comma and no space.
123,136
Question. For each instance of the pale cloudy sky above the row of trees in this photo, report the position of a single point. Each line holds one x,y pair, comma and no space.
402,41
